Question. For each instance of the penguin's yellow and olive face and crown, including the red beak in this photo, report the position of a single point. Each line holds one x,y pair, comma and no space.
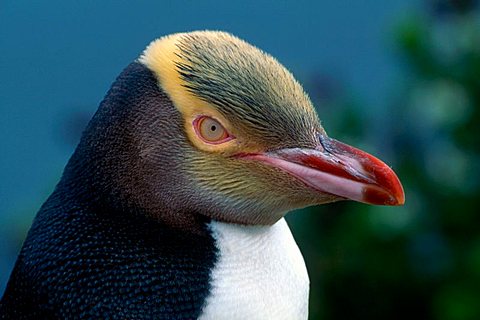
255,147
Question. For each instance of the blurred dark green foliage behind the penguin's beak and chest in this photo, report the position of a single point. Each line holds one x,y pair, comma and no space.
420,261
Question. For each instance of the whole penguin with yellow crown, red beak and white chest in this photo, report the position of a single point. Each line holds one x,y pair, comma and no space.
172,205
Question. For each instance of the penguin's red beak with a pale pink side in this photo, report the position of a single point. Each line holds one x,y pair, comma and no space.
339,169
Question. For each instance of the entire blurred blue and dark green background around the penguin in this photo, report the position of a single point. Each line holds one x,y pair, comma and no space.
398,78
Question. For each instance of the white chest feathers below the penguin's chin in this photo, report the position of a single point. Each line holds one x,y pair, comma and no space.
260,274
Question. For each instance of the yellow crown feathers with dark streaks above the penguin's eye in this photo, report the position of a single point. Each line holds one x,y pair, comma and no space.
243,83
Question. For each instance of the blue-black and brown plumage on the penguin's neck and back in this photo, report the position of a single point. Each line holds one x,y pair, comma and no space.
95,249
